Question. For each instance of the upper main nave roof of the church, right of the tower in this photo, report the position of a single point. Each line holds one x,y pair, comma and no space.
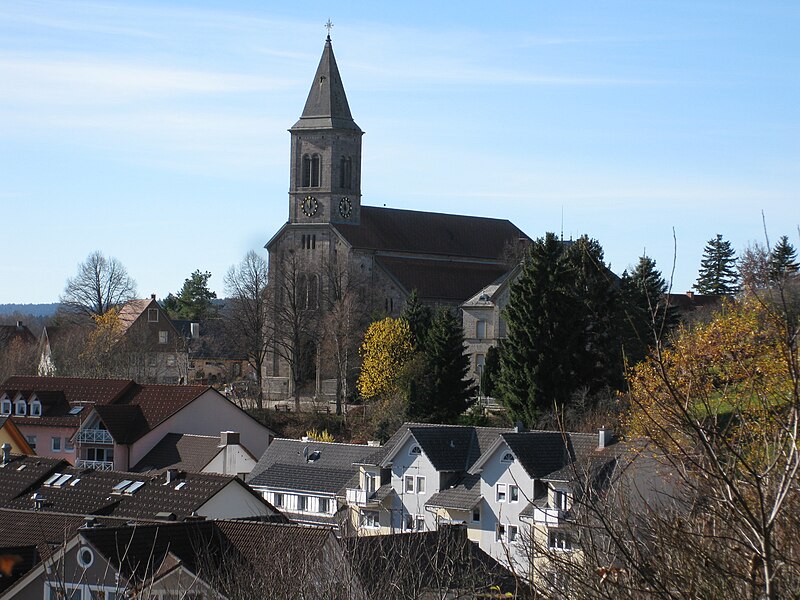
394,230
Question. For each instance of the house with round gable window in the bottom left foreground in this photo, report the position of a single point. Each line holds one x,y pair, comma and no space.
192,559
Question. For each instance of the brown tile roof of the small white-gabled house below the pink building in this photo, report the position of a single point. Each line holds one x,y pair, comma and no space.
183,451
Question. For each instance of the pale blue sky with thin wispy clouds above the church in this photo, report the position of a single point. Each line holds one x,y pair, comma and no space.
156,131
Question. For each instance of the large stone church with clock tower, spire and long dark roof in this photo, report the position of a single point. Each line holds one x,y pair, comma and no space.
332,242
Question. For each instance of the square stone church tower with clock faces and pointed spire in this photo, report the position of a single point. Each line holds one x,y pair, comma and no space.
325,176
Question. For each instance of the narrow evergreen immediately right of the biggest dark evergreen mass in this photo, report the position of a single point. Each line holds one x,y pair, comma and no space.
647,316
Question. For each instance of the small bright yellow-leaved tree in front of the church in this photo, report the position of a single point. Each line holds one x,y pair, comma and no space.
385,352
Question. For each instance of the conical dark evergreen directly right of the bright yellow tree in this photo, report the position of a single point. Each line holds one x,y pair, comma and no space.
443,394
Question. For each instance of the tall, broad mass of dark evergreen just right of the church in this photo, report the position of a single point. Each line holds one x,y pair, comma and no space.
562,331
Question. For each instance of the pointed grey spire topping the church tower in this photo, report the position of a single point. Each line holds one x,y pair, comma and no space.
326,106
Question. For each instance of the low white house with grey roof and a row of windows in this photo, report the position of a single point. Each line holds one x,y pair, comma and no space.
308,480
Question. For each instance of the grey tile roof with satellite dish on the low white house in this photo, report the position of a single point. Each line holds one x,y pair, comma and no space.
283,465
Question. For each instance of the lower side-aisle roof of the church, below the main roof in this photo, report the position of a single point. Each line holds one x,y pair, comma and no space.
446,280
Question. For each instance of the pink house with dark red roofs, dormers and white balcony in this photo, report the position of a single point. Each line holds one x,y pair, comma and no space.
114,423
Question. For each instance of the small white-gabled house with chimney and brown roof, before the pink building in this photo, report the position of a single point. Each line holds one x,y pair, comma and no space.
221,454
